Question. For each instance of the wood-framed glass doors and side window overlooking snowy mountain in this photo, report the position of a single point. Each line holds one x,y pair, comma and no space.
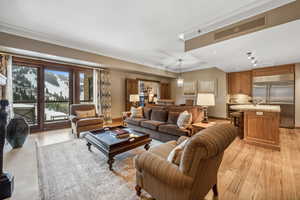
43,92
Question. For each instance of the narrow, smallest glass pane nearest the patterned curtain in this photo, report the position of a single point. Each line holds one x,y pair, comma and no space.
86,87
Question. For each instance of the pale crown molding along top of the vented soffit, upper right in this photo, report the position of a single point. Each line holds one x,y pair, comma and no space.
249,10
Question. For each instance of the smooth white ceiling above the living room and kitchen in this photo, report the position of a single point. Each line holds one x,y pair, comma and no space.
146,32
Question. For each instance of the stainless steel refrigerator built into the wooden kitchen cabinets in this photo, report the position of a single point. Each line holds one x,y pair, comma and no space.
277,90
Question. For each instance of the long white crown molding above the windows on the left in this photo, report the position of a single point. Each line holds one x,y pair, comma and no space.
44,37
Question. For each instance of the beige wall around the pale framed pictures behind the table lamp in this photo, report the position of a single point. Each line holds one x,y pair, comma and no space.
207,74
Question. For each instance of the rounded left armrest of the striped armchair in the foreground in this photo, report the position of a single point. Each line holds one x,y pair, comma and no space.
163,170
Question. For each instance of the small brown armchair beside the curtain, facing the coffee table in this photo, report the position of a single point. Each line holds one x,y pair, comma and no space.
80,124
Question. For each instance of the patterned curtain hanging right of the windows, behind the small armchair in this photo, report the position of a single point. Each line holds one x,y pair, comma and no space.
102,93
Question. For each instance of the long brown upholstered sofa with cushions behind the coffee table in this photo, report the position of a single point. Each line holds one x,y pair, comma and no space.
161,121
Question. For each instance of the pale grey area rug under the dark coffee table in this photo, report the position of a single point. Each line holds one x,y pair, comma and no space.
68,171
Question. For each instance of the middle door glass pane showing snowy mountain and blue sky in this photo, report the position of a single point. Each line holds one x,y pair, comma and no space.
57,93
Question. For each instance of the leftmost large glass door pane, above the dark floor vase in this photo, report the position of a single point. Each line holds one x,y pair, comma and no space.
25,93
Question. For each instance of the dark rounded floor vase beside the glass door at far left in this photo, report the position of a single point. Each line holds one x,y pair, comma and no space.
17,132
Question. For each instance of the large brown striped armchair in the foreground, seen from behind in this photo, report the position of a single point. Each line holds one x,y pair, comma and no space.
197,171
